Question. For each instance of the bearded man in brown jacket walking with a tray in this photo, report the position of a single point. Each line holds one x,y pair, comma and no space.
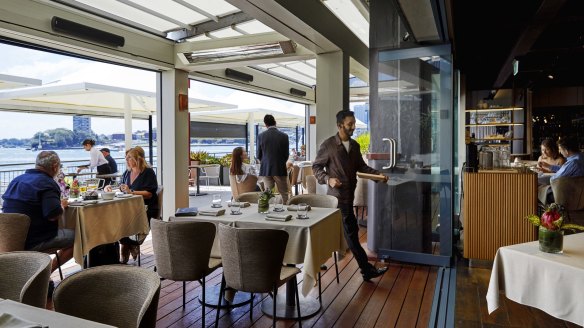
336,164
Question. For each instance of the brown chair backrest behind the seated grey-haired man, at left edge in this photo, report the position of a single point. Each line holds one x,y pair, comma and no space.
13,231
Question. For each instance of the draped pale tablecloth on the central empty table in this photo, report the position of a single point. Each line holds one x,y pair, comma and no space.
311,241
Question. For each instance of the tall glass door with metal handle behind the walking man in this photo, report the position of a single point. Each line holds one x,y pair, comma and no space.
412,116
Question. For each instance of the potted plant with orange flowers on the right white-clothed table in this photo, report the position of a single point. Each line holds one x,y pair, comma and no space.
551,228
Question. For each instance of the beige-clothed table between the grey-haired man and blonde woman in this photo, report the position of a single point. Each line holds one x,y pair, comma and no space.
104,221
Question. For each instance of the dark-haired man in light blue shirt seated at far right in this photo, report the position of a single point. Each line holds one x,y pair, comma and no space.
574,166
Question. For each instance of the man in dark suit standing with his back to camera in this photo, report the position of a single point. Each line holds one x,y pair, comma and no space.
273,153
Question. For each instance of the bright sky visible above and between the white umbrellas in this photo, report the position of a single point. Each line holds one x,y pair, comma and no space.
59,69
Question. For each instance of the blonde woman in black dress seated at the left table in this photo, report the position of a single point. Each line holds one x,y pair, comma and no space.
139,179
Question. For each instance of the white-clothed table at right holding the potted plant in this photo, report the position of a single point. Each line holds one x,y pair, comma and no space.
550,282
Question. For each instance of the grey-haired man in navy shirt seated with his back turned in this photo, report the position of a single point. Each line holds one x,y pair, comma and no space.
37,194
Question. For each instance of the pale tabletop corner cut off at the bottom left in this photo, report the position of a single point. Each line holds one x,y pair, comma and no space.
45,317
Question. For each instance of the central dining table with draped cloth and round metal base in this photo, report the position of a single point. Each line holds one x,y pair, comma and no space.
311,242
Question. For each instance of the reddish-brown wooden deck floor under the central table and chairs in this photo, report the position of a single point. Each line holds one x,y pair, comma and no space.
402,297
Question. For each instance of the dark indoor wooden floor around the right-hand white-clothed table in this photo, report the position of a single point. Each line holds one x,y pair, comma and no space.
471,305
